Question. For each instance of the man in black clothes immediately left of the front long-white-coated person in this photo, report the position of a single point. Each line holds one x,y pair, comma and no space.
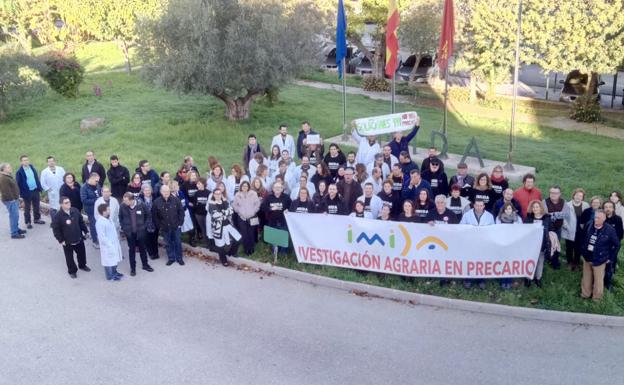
70,231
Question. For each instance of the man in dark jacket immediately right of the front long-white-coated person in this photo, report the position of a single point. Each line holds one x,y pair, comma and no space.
133,219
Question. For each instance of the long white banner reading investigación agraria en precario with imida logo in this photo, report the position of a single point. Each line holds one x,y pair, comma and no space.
416,250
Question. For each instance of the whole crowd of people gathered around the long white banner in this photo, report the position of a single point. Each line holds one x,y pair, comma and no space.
229,211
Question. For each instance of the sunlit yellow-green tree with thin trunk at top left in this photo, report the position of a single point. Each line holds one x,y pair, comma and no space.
109,20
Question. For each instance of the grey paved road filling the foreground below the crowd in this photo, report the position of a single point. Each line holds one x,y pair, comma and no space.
203,324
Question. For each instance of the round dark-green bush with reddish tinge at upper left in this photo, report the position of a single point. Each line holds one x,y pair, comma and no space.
63,74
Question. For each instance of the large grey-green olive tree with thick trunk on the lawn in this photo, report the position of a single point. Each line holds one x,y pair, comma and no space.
234,50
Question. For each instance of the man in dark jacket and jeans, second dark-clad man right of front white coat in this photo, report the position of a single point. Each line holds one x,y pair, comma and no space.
168,216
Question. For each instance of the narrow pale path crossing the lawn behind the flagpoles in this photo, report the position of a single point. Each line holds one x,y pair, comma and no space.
561,123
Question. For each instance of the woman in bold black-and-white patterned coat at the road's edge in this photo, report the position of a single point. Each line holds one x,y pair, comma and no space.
219,226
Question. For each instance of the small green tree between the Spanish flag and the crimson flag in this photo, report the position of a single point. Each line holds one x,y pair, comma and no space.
420,29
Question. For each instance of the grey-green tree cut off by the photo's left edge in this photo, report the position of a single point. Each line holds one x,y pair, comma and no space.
19,78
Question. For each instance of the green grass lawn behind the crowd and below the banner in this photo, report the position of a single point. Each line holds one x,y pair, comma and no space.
144,122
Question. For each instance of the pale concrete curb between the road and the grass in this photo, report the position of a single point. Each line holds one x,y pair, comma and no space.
416,298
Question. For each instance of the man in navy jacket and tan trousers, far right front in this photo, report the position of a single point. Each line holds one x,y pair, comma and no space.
600,247
